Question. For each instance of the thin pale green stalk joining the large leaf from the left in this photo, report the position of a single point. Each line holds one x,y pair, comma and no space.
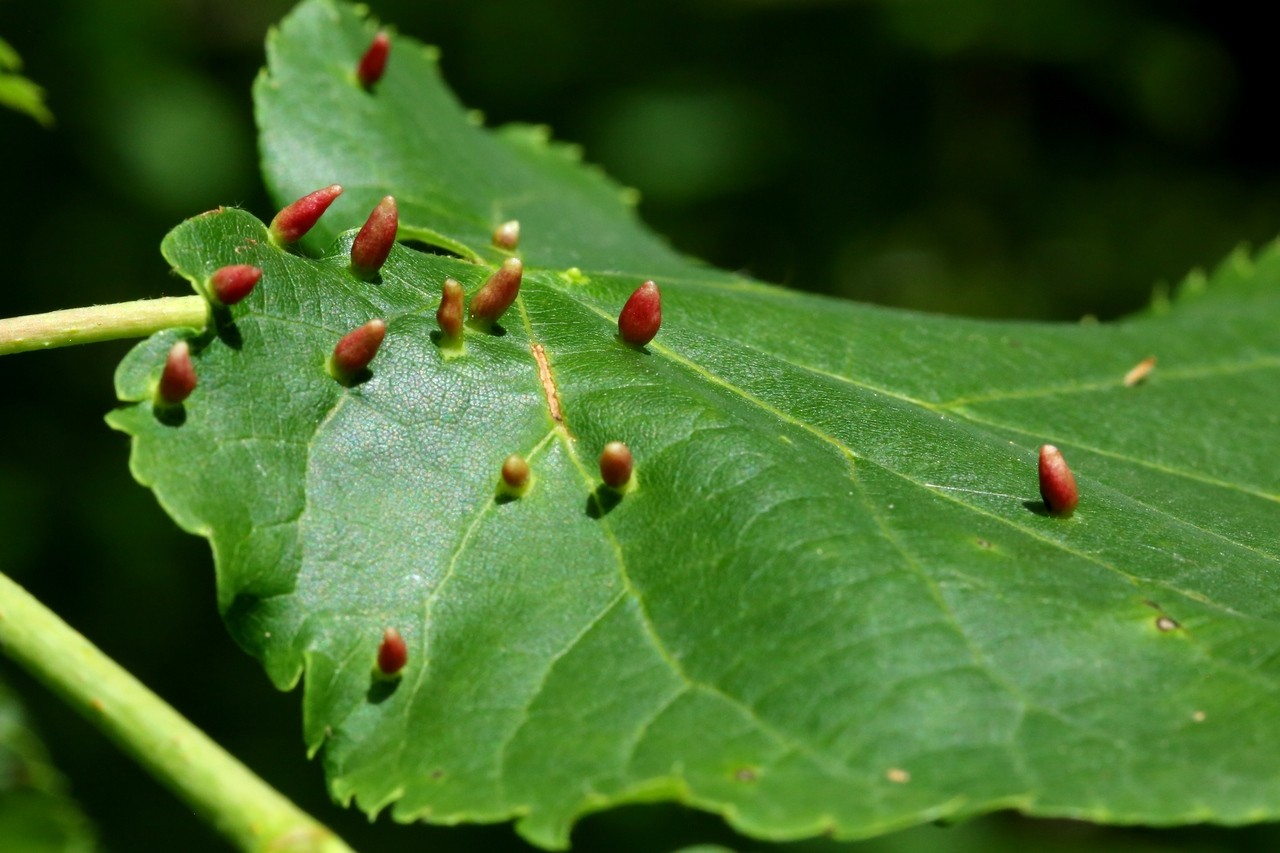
102,323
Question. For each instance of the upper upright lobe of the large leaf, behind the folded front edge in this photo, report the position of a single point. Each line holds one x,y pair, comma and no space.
455,181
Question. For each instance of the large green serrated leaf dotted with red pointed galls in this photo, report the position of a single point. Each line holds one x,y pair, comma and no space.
831,601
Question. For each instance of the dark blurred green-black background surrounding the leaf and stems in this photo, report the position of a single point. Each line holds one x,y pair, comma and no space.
991,158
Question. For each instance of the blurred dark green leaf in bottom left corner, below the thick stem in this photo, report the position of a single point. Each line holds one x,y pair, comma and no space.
36,816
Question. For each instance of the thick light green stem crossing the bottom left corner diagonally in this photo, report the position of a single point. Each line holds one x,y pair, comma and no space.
227,793
